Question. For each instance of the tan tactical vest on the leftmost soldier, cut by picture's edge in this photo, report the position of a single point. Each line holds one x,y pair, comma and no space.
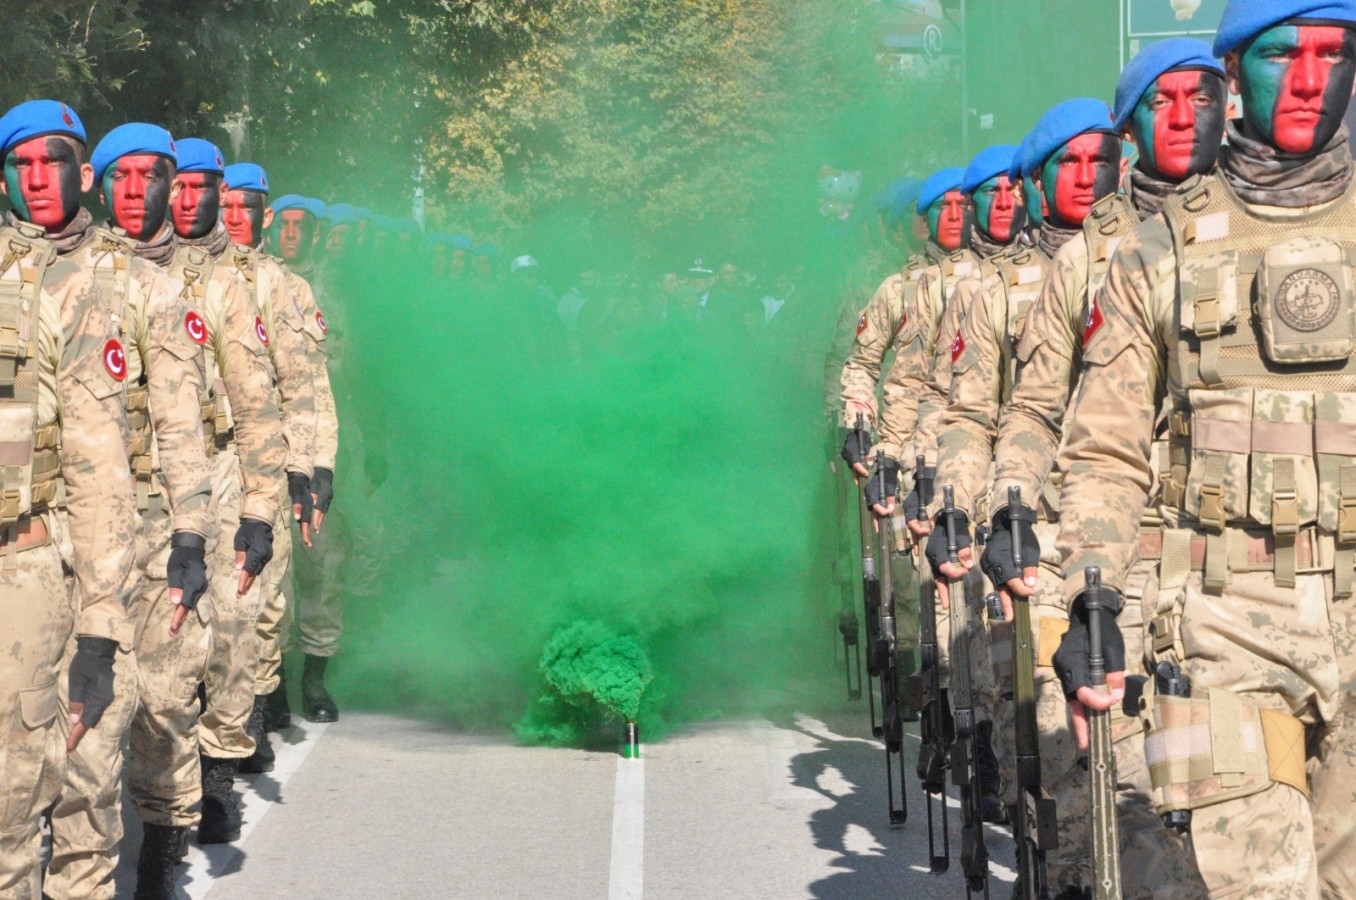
31,466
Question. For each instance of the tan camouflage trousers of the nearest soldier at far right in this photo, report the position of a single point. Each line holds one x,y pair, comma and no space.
1288,650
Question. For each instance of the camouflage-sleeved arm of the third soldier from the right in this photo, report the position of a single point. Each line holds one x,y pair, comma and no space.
970,422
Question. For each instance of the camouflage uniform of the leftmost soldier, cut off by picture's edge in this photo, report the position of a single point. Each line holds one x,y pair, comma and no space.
64,367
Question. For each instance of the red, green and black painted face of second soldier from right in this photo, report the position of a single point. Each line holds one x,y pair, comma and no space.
1179,124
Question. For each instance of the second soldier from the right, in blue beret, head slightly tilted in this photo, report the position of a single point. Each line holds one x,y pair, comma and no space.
1171,104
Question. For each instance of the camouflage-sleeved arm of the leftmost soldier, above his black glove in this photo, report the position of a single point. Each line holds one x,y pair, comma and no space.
102,513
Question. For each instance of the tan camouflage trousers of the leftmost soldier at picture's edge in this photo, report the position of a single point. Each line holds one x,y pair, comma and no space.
37,619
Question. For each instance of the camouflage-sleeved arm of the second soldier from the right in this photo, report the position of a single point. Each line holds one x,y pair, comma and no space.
1031,425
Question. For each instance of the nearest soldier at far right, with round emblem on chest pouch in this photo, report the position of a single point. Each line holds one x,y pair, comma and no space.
1235,306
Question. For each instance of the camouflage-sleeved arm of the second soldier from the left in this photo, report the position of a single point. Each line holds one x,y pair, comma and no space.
174,382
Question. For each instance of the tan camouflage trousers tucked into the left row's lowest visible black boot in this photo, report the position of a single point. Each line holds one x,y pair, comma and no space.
163,761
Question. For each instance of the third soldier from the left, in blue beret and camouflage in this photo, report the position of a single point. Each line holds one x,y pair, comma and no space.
246,475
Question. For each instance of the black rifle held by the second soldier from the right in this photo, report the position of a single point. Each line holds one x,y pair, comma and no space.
1034,823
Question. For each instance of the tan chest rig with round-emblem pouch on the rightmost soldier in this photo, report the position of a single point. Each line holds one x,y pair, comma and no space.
1263,424
